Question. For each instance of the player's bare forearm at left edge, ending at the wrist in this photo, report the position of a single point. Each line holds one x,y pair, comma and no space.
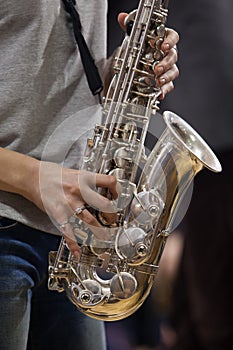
18,173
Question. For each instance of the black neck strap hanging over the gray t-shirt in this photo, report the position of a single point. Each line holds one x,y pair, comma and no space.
91,71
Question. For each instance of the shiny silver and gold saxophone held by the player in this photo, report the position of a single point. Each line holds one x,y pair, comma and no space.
113,277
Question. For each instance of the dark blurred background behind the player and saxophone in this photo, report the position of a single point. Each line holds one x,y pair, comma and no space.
191,303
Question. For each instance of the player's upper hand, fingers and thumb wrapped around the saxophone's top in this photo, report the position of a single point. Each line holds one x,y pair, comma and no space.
166,71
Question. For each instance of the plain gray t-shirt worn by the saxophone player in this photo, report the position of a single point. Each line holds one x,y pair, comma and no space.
43,88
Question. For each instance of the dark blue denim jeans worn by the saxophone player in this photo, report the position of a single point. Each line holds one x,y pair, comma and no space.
31,316
